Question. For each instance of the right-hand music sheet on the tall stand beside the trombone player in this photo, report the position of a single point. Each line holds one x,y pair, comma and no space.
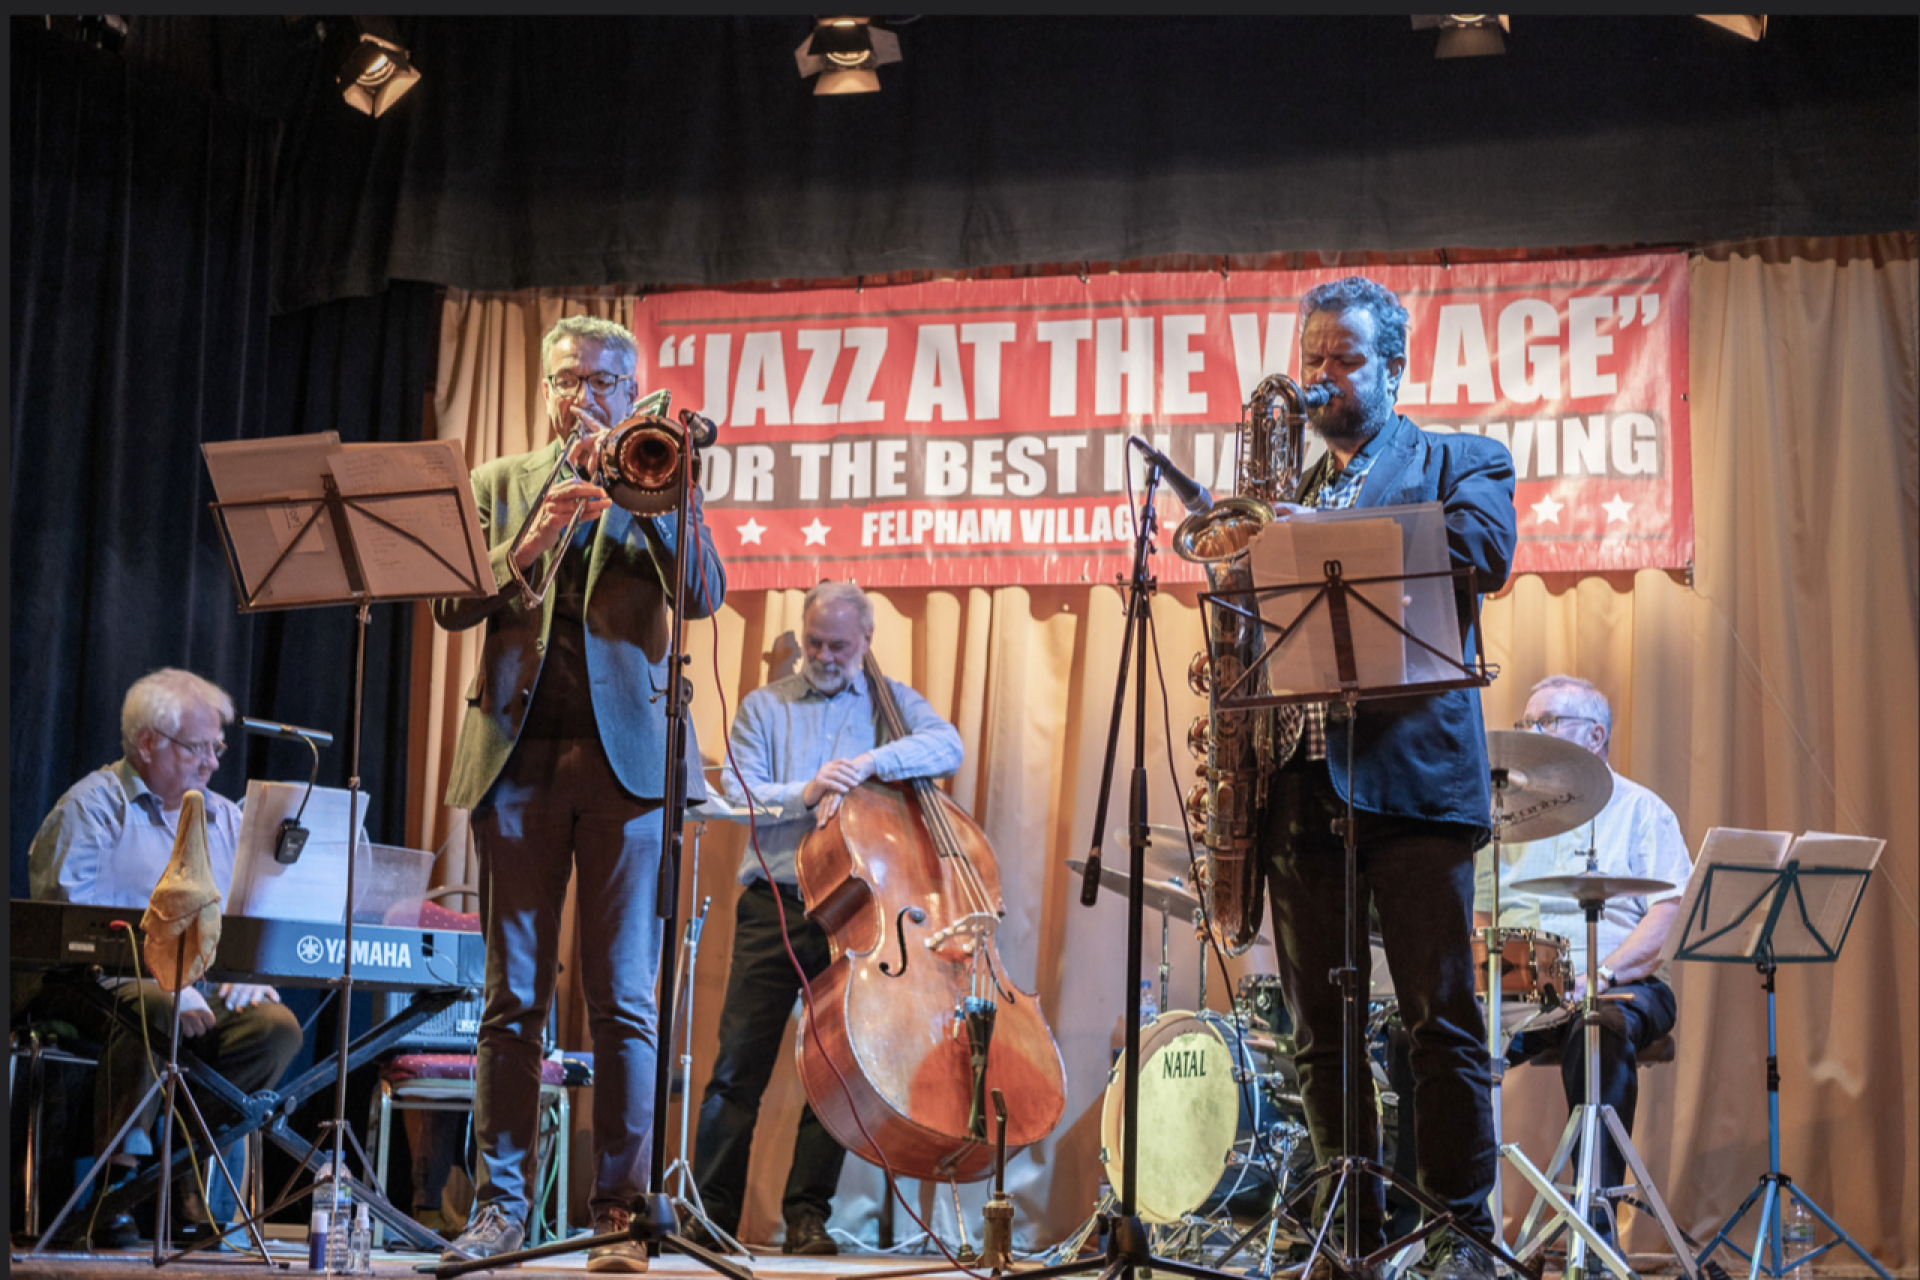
414,546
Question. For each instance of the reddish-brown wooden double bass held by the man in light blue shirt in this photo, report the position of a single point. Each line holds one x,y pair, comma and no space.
917,1020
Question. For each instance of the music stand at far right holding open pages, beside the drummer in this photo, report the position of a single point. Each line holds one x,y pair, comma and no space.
1779,899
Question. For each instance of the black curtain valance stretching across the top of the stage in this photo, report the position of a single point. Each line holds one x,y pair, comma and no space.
546,153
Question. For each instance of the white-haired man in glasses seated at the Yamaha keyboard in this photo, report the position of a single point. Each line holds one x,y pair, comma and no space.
107,843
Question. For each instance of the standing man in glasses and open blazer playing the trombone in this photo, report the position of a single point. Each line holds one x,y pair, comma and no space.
562,759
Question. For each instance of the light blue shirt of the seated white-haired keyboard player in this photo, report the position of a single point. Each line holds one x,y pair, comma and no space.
108,840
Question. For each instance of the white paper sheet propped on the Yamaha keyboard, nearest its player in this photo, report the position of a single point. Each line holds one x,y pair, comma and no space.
314,888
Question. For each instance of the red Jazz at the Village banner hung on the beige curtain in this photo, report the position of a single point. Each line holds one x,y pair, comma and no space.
974,433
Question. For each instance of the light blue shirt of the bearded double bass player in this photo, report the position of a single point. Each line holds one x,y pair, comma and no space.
788,730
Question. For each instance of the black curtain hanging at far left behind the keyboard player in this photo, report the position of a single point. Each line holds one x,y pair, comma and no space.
139,331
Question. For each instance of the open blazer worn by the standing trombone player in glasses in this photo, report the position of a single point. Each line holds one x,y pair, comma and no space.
629,636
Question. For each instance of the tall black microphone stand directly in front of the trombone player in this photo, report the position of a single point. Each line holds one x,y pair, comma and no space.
652,1216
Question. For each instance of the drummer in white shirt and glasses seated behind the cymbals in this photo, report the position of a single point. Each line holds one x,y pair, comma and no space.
1635,836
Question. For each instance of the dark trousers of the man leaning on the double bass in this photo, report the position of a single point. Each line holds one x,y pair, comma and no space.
759,999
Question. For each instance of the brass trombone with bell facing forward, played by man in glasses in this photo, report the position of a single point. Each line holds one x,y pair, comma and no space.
638,463
